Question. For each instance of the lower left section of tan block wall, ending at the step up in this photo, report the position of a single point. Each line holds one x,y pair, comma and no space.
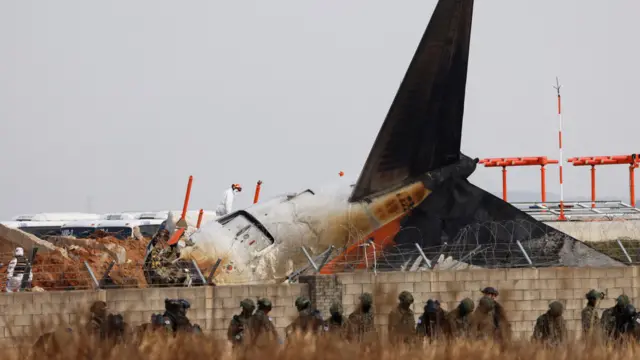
212,307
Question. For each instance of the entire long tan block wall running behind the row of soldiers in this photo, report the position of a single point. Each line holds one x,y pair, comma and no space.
525,294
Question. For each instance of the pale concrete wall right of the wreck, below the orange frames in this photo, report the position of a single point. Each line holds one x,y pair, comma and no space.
599,230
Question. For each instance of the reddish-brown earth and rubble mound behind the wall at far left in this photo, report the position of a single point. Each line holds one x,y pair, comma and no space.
61,262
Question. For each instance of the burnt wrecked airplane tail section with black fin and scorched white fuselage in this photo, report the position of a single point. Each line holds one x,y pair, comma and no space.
412,190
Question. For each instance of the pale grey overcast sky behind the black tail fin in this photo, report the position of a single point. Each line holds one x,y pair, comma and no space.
111,105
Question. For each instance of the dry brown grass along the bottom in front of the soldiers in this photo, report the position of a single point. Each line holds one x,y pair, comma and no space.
76,345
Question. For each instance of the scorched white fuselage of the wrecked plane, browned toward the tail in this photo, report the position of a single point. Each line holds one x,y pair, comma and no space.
315,221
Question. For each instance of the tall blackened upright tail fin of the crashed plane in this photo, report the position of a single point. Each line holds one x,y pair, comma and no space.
422,130
